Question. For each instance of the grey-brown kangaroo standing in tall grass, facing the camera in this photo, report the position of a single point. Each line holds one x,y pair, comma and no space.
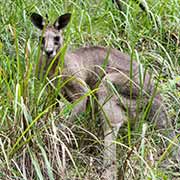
108,70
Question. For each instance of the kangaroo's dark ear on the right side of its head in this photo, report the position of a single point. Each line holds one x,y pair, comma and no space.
62,21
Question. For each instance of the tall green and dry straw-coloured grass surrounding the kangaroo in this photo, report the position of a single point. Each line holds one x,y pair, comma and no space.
36,139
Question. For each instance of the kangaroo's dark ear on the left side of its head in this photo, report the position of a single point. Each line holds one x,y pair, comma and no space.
37,20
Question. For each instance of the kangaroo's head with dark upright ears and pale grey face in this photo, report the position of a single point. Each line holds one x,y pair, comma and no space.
52,37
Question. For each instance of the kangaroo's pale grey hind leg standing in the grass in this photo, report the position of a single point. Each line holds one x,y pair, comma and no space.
113,116
